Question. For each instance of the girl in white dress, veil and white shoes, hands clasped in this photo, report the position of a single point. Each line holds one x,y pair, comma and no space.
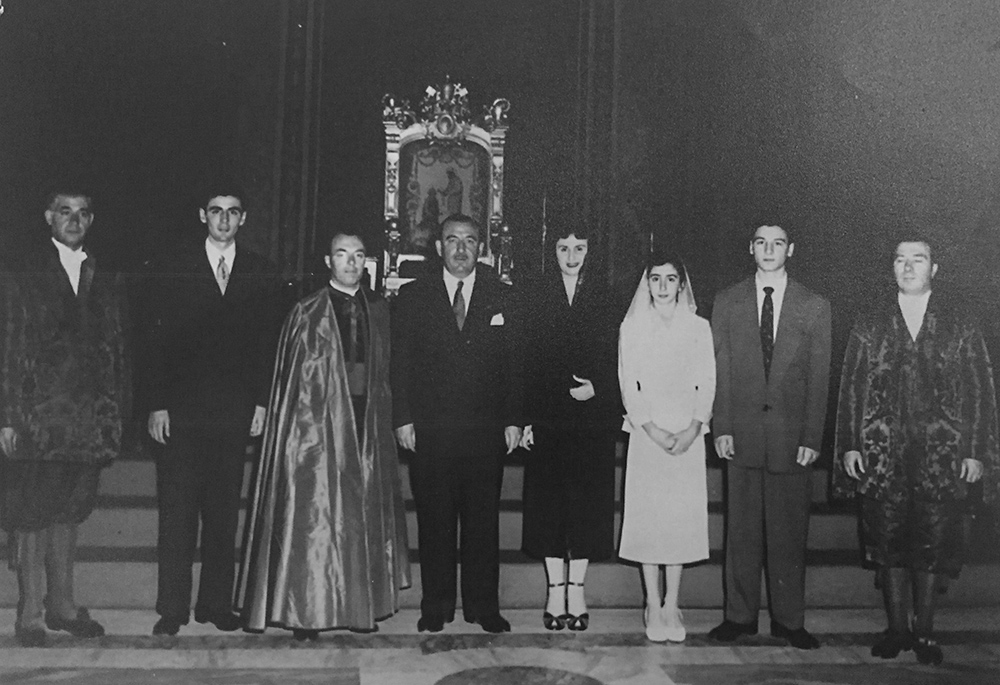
667,375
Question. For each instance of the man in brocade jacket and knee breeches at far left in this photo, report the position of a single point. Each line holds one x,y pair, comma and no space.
65,389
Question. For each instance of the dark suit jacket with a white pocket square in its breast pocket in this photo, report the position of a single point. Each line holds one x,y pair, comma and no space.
443,376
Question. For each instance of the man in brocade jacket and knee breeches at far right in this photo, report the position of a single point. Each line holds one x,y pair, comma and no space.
916,427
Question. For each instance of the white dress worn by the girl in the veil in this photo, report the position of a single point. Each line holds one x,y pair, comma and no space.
667,375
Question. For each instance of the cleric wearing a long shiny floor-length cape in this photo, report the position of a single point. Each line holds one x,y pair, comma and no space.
326,543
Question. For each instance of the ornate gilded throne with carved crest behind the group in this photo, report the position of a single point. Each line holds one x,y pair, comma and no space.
442,160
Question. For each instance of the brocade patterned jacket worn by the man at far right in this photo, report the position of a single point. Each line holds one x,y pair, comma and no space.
930,401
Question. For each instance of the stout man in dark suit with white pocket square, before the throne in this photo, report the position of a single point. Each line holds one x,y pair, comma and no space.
457,392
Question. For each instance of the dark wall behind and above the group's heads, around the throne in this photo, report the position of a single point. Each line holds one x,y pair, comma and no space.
843,120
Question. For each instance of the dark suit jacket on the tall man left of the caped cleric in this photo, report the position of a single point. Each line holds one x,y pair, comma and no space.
210,355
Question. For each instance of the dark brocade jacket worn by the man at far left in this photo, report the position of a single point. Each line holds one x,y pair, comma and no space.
66,371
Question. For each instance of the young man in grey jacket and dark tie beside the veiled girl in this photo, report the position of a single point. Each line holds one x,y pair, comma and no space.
772,352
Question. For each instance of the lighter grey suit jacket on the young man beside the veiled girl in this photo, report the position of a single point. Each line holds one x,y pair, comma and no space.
770,419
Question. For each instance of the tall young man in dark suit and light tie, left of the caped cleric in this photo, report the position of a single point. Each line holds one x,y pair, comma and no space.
211,353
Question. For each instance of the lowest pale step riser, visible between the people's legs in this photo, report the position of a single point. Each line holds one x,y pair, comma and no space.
107,583
